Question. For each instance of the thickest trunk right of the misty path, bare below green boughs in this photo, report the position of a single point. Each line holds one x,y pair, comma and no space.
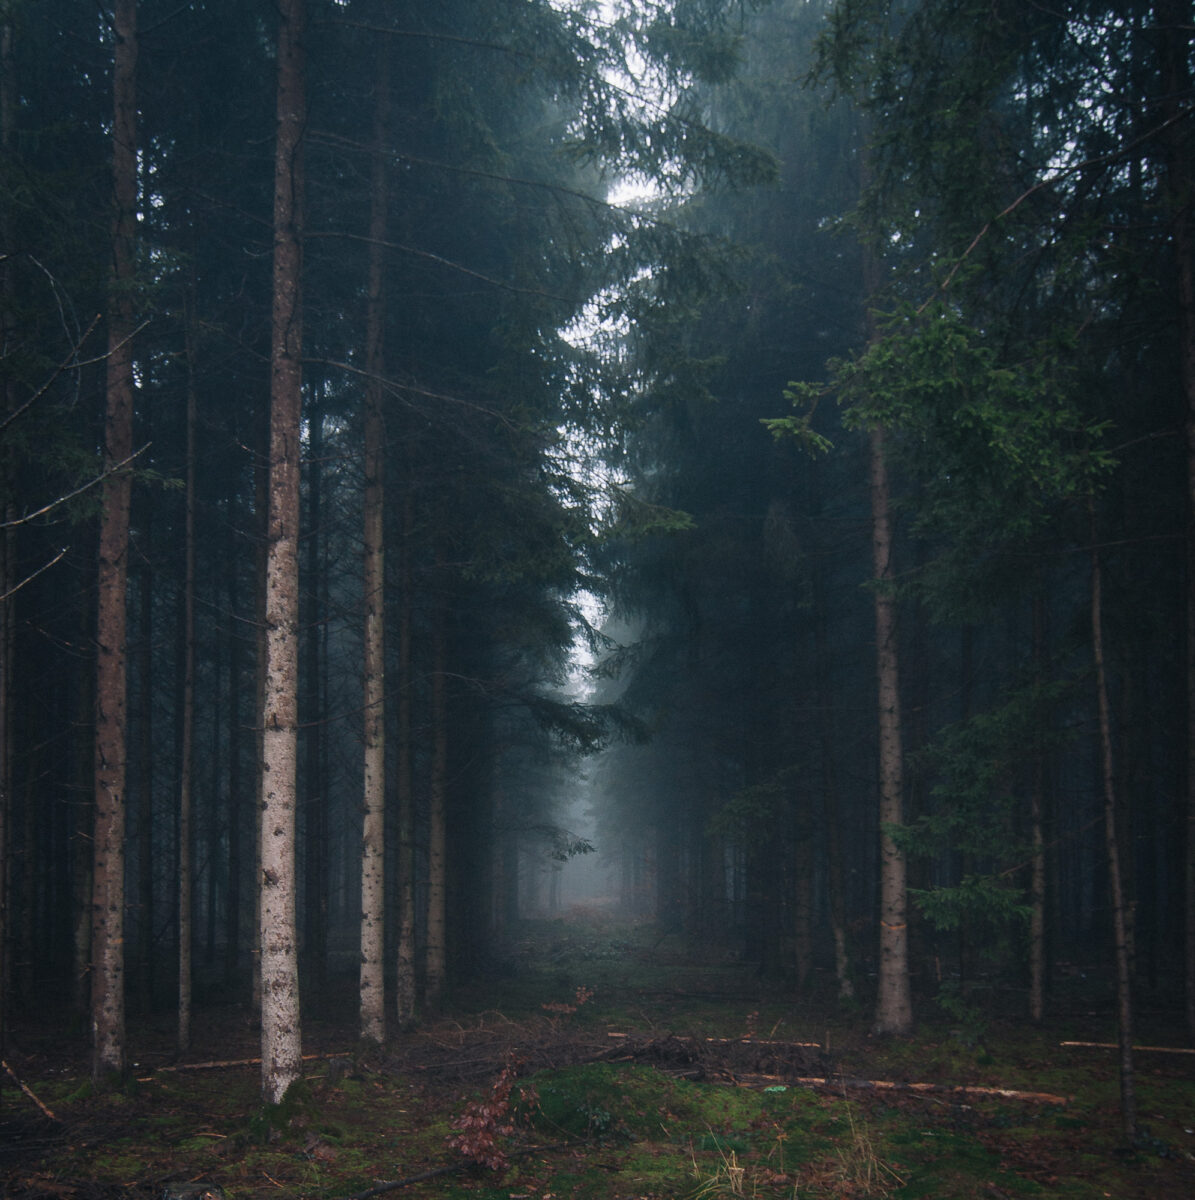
894,1007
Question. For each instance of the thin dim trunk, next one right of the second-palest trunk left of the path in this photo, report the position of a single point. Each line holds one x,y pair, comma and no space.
405,982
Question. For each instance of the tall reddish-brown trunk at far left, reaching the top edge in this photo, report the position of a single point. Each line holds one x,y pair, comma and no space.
109,847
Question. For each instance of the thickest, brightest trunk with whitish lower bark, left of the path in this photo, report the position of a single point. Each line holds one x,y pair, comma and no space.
281,1036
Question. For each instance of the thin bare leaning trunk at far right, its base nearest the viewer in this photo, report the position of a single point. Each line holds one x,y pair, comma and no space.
1115,878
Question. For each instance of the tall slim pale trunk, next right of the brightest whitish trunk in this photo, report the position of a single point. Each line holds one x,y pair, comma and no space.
374,891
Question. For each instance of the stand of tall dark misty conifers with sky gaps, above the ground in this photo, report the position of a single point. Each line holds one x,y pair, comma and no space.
716,467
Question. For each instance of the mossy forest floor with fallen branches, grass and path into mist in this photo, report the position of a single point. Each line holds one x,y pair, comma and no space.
608,1065
